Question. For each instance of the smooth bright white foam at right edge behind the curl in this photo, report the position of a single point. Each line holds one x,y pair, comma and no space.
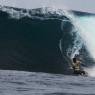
86,26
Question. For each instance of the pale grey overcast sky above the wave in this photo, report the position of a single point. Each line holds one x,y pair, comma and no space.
79,5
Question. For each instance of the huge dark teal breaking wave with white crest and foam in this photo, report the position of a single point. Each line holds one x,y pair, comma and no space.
41,39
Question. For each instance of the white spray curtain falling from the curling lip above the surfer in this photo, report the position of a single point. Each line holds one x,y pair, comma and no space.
73,50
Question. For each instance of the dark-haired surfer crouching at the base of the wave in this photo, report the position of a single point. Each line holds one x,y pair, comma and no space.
77,67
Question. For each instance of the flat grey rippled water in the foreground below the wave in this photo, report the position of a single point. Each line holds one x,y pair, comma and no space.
31,83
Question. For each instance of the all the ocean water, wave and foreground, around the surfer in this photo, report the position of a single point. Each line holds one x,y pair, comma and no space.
37,47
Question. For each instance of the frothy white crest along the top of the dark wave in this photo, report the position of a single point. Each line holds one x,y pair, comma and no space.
19,13
